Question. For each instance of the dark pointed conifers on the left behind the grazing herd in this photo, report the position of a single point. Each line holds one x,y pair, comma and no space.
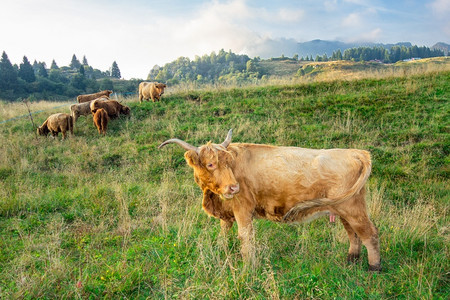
55,83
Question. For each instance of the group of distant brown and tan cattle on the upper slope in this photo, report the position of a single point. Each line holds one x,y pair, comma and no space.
100,106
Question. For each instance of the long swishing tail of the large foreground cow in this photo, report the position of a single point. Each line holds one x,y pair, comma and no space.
366,166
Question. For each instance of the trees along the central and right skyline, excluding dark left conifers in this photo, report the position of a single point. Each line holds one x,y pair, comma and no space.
227,67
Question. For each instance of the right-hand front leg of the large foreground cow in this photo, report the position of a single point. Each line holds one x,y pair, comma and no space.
246,235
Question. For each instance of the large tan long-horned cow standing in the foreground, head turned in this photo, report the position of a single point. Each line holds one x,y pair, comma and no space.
285,184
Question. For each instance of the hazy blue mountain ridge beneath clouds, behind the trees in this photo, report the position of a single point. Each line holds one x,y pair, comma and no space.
288,47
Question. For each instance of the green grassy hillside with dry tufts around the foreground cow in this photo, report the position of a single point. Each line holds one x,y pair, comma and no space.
115,217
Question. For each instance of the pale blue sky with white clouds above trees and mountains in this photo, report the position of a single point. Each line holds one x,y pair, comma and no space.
140,34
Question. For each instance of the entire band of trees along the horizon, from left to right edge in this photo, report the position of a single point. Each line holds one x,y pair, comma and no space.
36,81
